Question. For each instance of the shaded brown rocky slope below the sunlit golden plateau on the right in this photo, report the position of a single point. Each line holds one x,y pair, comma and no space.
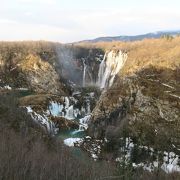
144,107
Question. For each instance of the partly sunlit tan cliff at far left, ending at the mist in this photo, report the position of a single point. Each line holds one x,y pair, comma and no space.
30,65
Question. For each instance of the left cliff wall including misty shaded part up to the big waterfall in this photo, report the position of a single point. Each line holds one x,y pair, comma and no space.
48,67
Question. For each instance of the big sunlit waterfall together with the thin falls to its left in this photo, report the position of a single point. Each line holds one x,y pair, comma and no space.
109,67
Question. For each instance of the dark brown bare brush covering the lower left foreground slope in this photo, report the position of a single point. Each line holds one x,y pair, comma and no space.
27,153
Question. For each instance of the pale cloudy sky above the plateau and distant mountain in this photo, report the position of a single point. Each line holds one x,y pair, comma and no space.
74,20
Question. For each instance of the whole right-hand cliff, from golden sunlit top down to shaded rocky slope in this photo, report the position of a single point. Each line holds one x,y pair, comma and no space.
144,101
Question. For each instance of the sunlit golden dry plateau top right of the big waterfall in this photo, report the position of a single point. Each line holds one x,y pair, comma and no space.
160,53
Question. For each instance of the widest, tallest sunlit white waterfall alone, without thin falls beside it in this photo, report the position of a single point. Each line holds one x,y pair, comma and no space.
110,66
